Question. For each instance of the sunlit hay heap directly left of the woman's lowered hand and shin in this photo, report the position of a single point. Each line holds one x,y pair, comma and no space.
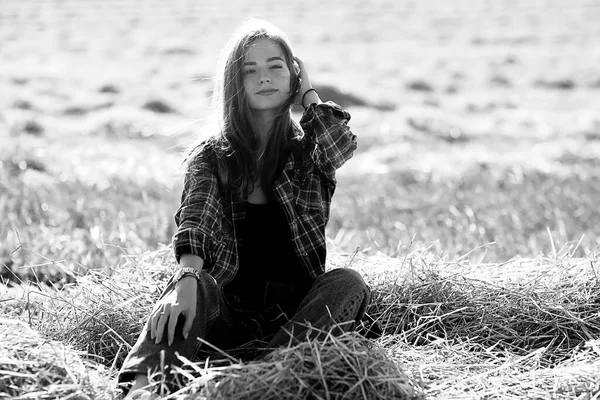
102,314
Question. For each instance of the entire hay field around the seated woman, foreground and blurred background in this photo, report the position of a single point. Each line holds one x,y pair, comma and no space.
471,204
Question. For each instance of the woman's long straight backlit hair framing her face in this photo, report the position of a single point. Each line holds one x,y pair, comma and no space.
237,142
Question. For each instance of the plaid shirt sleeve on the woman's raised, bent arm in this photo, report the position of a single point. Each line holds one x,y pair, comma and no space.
325,125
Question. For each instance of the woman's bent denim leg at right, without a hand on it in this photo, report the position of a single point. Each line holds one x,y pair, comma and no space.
339,296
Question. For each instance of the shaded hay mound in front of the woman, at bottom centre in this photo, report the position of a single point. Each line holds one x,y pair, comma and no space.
334,367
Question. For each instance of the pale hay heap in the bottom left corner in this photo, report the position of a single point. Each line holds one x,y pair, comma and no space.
32,367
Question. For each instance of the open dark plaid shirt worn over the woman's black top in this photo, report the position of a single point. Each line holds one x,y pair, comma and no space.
208,220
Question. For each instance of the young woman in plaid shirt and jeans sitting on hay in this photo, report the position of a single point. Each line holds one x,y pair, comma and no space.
251,225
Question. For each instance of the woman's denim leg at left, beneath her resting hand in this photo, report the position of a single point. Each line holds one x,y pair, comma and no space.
212,323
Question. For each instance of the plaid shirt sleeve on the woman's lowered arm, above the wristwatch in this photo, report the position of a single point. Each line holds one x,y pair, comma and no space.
197,216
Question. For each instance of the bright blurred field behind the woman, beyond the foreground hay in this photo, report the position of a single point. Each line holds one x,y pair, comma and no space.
477,122
